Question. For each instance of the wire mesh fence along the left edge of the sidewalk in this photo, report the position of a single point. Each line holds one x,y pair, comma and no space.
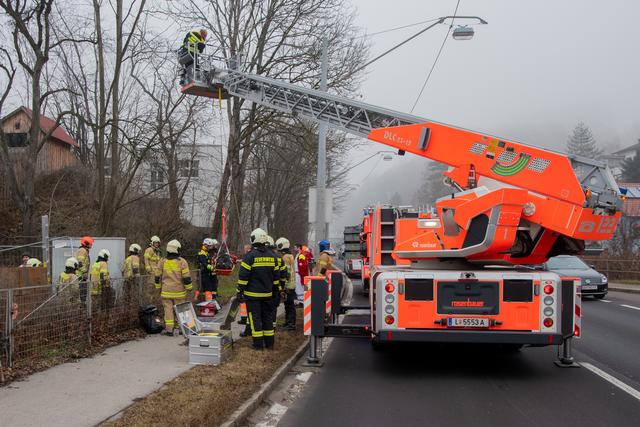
40,325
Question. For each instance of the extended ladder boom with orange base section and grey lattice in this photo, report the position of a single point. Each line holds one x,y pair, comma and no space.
578,181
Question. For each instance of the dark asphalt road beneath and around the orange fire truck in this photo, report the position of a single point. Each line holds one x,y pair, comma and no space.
427,384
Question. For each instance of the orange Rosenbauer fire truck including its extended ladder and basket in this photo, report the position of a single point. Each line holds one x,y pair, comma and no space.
459,272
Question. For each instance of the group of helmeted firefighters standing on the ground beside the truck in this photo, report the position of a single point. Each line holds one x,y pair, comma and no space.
269,274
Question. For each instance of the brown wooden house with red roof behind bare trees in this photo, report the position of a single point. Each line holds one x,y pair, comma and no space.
58,151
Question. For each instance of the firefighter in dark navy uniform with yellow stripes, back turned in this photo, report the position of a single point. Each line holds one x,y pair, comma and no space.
256,280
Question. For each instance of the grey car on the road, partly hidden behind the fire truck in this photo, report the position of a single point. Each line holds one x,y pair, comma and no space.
593,283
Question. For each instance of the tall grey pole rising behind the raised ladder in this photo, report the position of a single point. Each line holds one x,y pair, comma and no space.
321,178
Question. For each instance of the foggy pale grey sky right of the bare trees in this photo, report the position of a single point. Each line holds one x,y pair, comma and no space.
531,74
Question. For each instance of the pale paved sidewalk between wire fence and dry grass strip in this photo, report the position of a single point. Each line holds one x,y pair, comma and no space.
93,389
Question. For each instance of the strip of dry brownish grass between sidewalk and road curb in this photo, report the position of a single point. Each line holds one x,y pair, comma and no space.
208,395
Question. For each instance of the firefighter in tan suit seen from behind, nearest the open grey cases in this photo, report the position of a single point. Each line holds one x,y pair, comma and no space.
174,281
